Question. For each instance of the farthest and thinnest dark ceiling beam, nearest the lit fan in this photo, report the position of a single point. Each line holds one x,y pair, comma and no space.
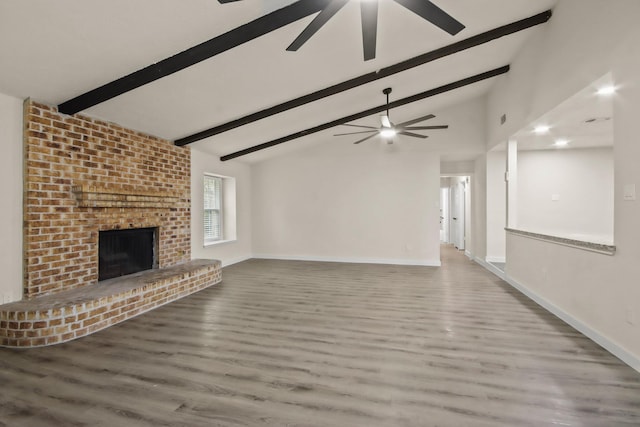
429,93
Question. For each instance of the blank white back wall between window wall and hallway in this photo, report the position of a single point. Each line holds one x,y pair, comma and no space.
345,202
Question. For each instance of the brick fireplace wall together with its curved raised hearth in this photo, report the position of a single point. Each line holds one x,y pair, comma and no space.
84,176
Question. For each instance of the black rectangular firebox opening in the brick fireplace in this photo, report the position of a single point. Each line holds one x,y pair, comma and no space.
123,252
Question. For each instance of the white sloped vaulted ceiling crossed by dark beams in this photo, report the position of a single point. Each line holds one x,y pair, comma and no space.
54,51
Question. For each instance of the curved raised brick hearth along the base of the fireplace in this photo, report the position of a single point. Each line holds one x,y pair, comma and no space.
68,315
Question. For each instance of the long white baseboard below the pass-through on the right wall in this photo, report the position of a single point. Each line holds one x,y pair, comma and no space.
613,348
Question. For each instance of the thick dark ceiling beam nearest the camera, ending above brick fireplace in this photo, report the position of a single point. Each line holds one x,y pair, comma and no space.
229,40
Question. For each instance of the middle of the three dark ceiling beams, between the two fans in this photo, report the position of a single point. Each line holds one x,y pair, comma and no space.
425,58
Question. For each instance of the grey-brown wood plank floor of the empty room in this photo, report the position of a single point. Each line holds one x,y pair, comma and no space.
292,343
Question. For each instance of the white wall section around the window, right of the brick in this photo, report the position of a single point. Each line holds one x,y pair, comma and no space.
232,251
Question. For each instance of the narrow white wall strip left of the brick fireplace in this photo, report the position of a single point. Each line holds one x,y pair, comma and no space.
11,191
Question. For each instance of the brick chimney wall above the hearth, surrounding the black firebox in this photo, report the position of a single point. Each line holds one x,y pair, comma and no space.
61,234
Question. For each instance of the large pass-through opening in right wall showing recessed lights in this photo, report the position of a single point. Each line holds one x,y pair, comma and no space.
562,171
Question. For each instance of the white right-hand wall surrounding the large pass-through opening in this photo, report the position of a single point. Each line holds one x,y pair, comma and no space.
584,40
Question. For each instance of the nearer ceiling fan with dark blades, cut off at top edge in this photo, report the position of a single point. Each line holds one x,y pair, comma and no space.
369,15
